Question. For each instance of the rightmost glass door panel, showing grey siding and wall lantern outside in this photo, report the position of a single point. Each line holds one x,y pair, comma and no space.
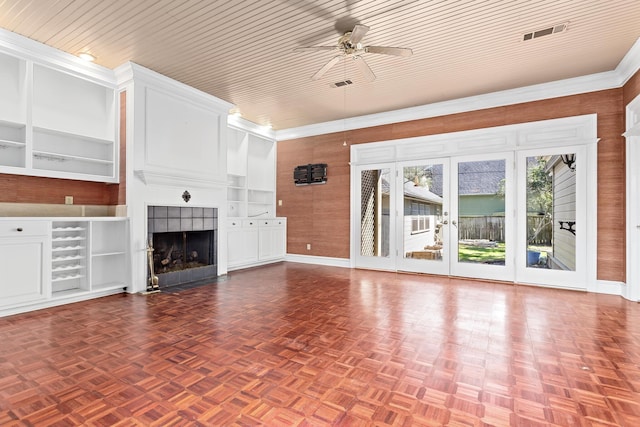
553,199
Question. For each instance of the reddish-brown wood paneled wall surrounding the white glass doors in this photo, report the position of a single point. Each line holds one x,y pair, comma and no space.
319,214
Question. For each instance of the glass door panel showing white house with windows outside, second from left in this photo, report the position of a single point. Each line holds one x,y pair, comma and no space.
423,216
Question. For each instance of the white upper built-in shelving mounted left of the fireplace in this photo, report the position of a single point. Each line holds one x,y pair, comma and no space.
55,120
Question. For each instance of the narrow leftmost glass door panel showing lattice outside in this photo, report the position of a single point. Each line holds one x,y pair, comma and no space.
375,231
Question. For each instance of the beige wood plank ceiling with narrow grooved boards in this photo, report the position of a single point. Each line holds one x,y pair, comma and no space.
242,51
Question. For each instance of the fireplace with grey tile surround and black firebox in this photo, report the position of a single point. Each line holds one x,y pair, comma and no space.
184,241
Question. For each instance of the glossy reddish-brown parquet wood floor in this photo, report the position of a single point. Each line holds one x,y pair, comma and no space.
301,345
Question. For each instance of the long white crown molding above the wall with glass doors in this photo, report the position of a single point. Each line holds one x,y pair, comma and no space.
627,67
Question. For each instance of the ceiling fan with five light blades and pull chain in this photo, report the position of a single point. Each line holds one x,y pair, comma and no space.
349,46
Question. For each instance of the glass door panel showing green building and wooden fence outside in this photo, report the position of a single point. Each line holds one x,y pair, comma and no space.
480,224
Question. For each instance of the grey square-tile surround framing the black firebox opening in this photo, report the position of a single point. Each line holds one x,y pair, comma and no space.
164,219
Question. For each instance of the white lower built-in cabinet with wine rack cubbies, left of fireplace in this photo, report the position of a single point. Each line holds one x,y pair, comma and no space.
58,260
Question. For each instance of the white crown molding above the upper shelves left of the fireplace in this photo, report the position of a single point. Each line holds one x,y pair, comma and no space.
39,53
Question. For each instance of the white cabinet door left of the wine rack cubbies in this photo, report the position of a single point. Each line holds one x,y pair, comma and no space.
22,263
